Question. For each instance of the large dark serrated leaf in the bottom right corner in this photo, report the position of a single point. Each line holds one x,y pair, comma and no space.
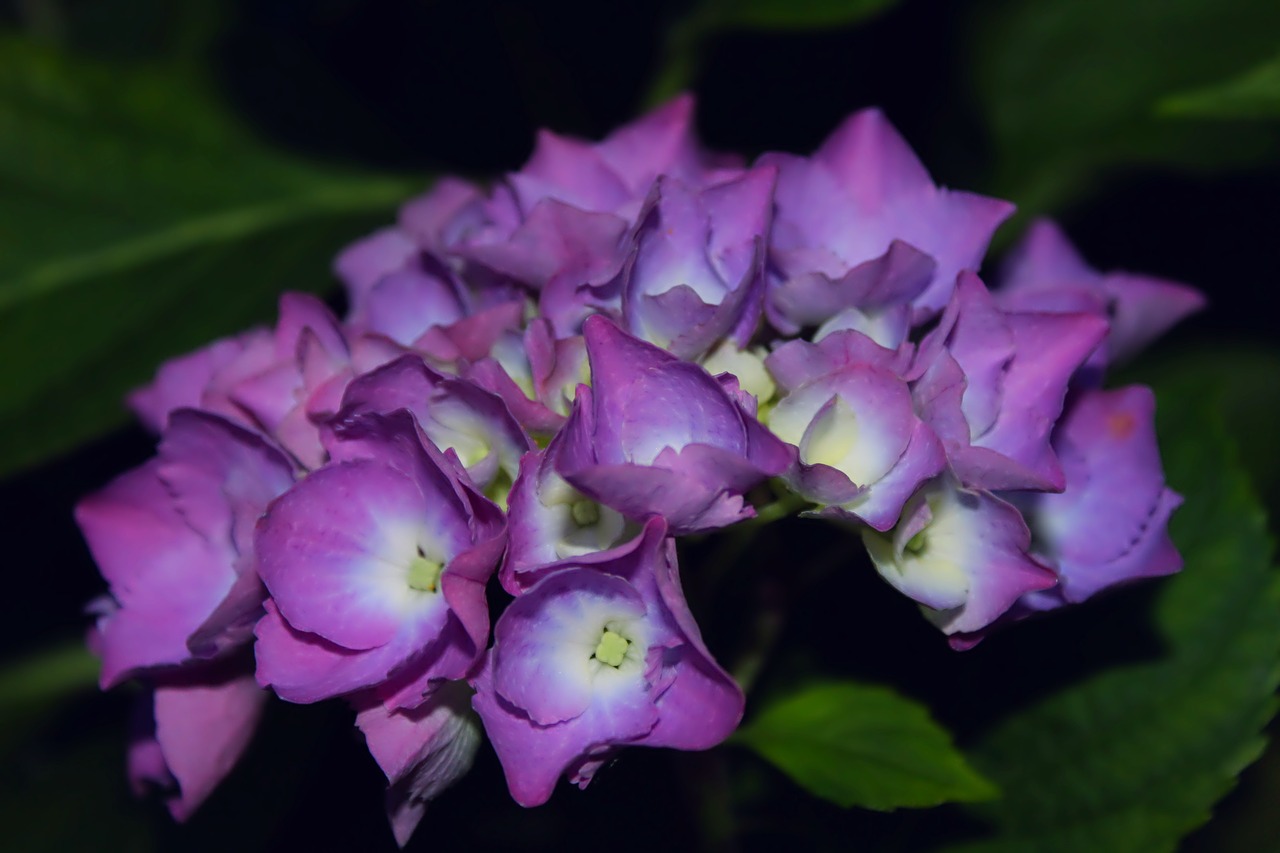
1135,758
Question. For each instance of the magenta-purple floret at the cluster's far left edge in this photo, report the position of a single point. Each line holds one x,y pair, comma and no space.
173,541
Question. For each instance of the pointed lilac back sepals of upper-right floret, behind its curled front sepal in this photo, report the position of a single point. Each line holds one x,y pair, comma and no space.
865,189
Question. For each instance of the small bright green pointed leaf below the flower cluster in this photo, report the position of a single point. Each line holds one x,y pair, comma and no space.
863,746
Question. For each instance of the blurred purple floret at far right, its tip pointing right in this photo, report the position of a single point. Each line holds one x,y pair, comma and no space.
1045,273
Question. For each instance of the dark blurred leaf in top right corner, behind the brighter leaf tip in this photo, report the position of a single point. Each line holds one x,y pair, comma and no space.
1068,88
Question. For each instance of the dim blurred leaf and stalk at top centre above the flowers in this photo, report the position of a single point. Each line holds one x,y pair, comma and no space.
685,44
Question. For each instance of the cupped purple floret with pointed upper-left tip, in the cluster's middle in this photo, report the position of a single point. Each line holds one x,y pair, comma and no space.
657,436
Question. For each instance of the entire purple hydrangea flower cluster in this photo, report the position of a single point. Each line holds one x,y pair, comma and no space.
552,380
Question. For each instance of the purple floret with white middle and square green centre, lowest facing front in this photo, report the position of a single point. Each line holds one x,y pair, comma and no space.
596,656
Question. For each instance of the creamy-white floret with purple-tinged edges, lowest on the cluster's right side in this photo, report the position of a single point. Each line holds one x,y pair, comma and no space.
963,555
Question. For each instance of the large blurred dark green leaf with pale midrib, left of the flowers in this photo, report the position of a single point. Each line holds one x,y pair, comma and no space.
139,221
